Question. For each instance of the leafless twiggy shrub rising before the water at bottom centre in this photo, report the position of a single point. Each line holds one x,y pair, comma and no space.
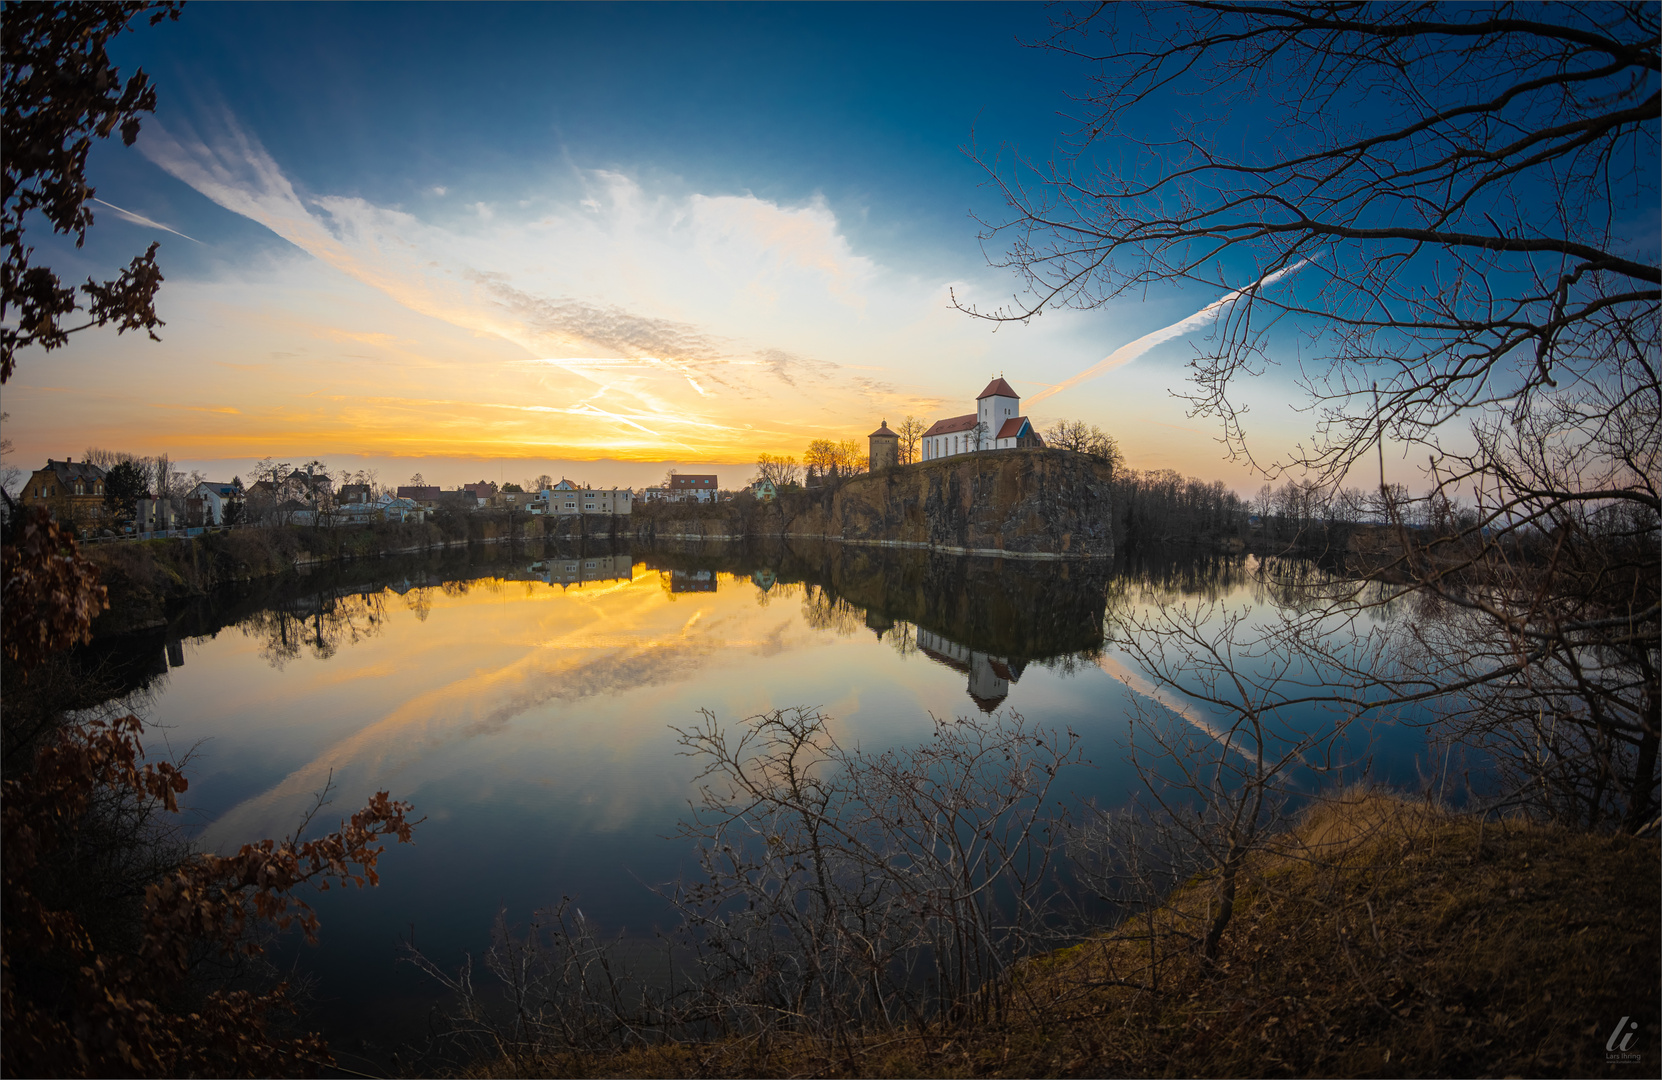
840,893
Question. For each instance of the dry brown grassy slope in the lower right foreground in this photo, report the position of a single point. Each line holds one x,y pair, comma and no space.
1382,938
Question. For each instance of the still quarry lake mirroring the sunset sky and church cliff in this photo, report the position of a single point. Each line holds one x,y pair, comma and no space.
523,700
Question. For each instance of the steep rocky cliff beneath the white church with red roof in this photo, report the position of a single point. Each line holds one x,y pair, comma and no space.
1025,504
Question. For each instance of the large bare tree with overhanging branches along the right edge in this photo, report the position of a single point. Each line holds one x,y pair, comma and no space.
1458,257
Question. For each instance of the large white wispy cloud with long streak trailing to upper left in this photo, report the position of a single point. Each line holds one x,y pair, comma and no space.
676,290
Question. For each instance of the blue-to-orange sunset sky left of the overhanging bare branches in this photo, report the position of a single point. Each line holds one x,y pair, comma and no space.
494,242
